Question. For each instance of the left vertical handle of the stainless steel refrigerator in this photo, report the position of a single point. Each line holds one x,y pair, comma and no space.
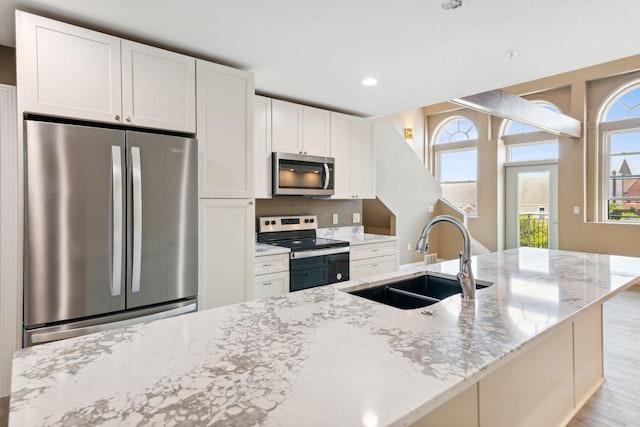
116,221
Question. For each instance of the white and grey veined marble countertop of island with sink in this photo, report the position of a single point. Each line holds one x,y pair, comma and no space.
319,357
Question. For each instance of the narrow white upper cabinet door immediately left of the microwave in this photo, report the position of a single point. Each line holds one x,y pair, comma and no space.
262,146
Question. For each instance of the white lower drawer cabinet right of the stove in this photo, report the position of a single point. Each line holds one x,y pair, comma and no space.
372,259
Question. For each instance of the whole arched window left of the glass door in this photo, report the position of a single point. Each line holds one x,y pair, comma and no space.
456,155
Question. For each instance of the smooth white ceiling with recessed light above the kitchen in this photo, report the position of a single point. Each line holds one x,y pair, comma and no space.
318,52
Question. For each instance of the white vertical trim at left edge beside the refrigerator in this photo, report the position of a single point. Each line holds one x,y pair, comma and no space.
9,278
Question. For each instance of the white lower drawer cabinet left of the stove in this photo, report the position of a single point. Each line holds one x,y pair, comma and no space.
271,276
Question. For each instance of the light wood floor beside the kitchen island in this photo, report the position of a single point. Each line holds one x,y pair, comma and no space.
616,403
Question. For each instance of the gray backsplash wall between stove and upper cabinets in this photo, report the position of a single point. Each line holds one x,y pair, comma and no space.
324,208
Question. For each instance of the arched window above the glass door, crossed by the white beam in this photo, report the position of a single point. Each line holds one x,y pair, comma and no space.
526,143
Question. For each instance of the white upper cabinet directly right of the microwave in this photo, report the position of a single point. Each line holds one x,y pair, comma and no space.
353,148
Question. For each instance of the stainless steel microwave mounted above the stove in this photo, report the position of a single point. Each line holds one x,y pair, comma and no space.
302,175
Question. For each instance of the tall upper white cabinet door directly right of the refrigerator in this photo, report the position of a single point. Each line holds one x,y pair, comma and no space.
225,131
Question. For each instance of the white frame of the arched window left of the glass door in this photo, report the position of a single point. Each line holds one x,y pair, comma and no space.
468,145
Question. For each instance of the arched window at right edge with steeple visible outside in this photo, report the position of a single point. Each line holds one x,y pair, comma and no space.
619,137
